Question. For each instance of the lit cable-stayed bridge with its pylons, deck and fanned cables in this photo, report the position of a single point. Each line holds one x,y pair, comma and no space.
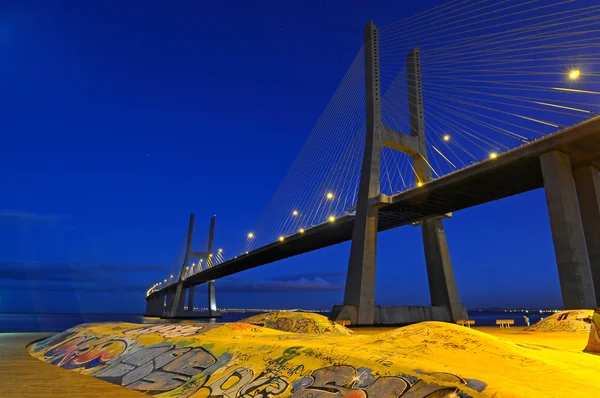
467,103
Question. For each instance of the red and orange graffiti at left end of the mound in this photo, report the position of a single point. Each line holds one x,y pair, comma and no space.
84,351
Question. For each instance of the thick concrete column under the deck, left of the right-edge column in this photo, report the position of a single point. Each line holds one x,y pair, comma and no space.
567,232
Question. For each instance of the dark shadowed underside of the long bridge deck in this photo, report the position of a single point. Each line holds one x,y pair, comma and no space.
512,173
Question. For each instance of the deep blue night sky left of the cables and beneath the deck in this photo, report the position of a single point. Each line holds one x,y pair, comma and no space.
119,118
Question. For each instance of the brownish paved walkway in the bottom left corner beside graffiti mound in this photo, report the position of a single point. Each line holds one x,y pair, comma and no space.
23,376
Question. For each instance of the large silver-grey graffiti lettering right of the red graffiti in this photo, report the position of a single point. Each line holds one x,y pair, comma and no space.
160,368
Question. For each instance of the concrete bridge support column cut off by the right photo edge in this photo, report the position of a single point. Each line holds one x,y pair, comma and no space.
587,184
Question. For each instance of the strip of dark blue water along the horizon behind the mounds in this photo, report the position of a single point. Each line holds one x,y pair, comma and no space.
60,322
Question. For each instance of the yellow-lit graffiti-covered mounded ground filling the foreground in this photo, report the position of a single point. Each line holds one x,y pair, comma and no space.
244,360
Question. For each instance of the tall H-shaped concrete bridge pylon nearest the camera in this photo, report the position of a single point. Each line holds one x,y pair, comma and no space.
359,297
